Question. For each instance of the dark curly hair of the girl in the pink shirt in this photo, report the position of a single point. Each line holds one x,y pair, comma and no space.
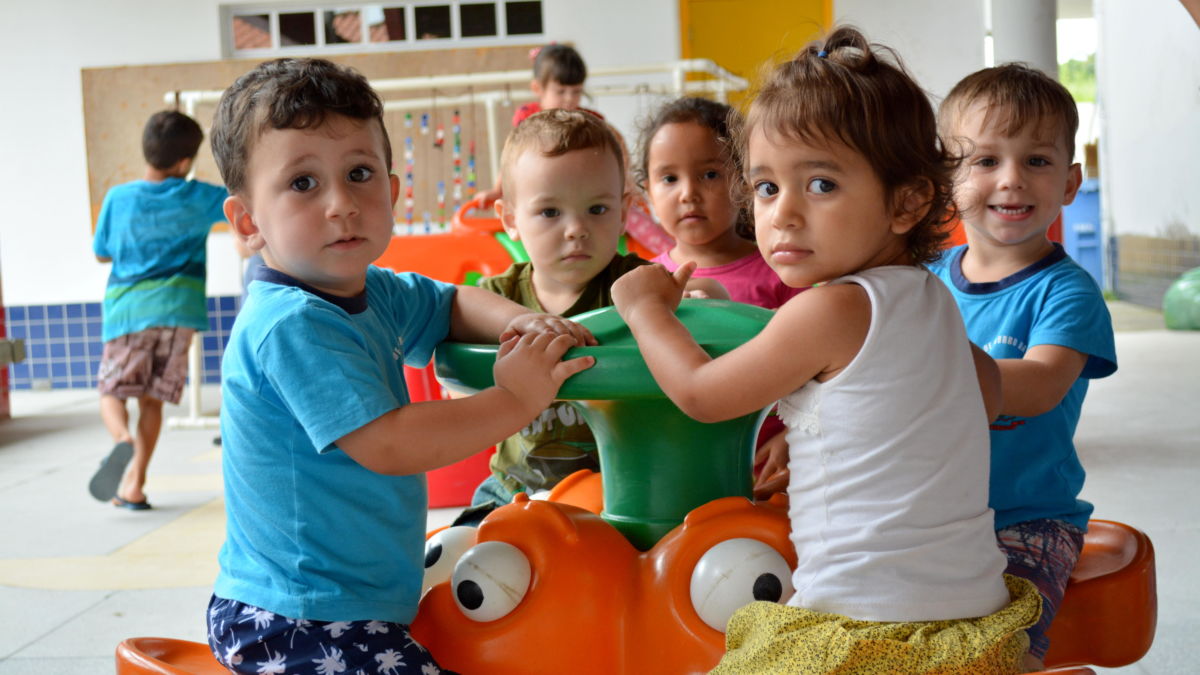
707,114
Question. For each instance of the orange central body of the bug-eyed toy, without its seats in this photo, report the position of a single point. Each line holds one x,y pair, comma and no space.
593,594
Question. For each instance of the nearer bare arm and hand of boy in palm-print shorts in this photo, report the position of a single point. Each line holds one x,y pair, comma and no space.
428,435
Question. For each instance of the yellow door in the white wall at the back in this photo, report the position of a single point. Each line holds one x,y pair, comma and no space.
741,35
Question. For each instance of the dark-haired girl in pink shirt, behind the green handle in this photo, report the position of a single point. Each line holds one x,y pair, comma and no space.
687,174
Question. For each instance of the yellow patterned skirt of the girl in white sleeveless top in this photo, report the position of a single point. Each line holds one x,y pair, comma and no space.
772,638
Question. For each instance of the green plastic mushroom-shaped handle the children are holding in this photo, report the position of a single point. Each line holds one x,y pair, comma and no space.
657,464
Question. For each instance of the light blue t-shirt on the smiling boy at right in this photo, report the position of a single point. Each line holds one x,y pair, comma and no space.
1035,470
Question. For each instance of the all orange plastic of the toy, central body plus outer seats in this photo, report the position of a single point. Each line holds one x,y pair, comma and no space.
629,612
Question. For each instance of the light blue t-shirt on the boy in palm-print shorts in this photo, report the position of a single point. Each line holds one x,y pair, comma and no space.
310,533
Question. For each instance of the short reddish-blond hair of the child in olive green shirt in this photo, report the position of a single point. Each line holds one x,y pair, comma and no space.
557,133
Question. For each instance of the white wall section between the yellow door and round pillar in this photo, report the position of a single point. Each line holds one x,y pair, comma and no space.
940,41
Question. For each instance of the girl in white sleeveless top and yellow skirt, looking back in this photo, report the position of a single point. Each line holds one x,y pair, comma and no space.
886,402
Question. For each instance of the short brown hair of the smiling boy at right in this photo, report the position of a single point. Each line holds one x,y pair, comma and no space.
1016,95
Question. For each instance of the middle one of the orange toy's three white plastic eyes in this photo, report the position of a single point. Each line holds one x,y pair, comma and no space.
490,581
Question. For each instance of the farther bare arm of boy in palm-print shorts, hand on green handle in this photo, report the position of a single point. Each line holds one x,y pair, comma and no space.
481,316
